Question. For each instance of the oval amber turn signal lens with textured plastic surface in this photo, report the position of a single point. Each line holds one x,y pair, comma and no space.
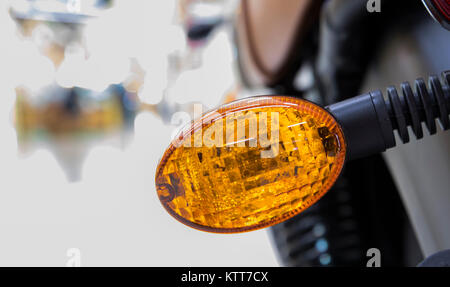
251,164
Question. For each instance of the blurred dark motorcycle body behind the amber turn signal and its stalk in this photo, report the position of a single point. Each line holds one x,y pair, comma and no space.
348,50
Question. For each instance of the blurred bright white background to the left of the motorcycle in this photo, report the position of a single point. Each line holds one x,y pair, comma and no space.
91,93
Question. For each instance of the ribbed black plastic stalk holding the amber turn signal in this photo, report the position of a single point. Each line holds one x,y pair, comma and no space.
369,120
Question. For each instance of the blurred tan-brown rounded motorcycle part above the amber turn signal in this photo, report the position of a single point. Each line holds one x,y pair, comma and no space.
273,40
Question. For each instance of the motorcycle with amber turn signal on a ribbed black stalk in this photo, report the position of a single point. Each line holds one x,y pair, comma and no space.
389,203
